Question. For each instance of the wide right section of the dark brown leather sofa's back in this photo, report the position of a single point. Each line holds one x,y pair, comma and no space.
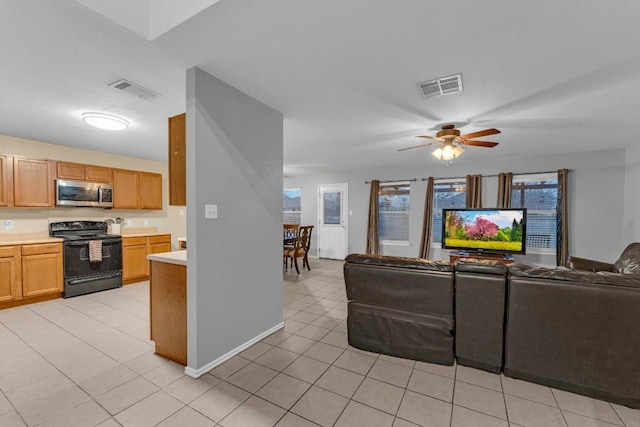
576,331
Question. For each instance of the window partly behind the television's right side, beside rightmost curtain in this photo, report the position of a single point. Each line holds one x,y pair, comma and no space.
539,194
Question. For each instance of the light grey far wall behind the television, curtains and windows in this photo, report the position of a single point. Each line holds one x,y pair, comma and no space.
596,202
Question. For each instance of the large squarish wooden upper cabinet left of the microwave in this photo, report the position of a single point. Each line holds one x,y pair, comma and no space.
32,183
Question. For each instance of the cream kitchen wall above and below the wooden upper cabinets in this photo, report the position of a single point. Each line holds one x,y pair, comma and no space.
26,220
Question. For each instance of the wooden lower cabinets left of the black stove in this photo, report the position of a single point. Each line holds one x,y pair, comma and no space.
30,273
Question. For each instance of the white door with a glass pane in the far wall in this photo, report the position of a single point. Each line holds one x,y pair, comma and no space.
332,221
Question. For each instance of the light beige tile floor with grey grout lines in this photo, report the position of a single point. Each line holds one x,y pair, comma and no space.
87,361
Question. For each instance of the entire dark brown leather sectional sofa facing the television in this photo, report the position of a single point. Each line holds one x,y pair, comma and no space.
569,329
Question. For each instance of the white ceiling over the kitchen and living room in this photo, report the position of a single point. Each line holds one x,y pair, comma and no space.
554,76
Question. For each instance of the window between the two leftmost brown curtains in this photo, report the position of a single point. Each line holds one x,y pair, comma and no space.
393,212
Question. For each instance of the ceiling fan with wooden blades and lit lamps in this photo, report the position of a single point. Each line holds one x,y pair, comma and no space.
451,142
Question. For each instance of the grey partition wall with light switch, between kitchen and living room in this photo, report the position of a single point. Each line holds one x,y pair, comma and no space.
234,270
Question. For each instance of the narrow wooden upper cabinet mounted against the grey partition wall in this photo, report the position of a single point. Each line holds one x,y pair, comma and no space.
177,160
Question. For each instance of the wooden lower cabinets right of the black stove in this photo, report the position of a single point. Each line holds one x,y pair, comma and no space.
135,266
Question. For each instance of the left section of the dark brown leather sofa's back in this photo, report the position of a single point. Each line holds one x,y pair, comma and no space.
401,307
